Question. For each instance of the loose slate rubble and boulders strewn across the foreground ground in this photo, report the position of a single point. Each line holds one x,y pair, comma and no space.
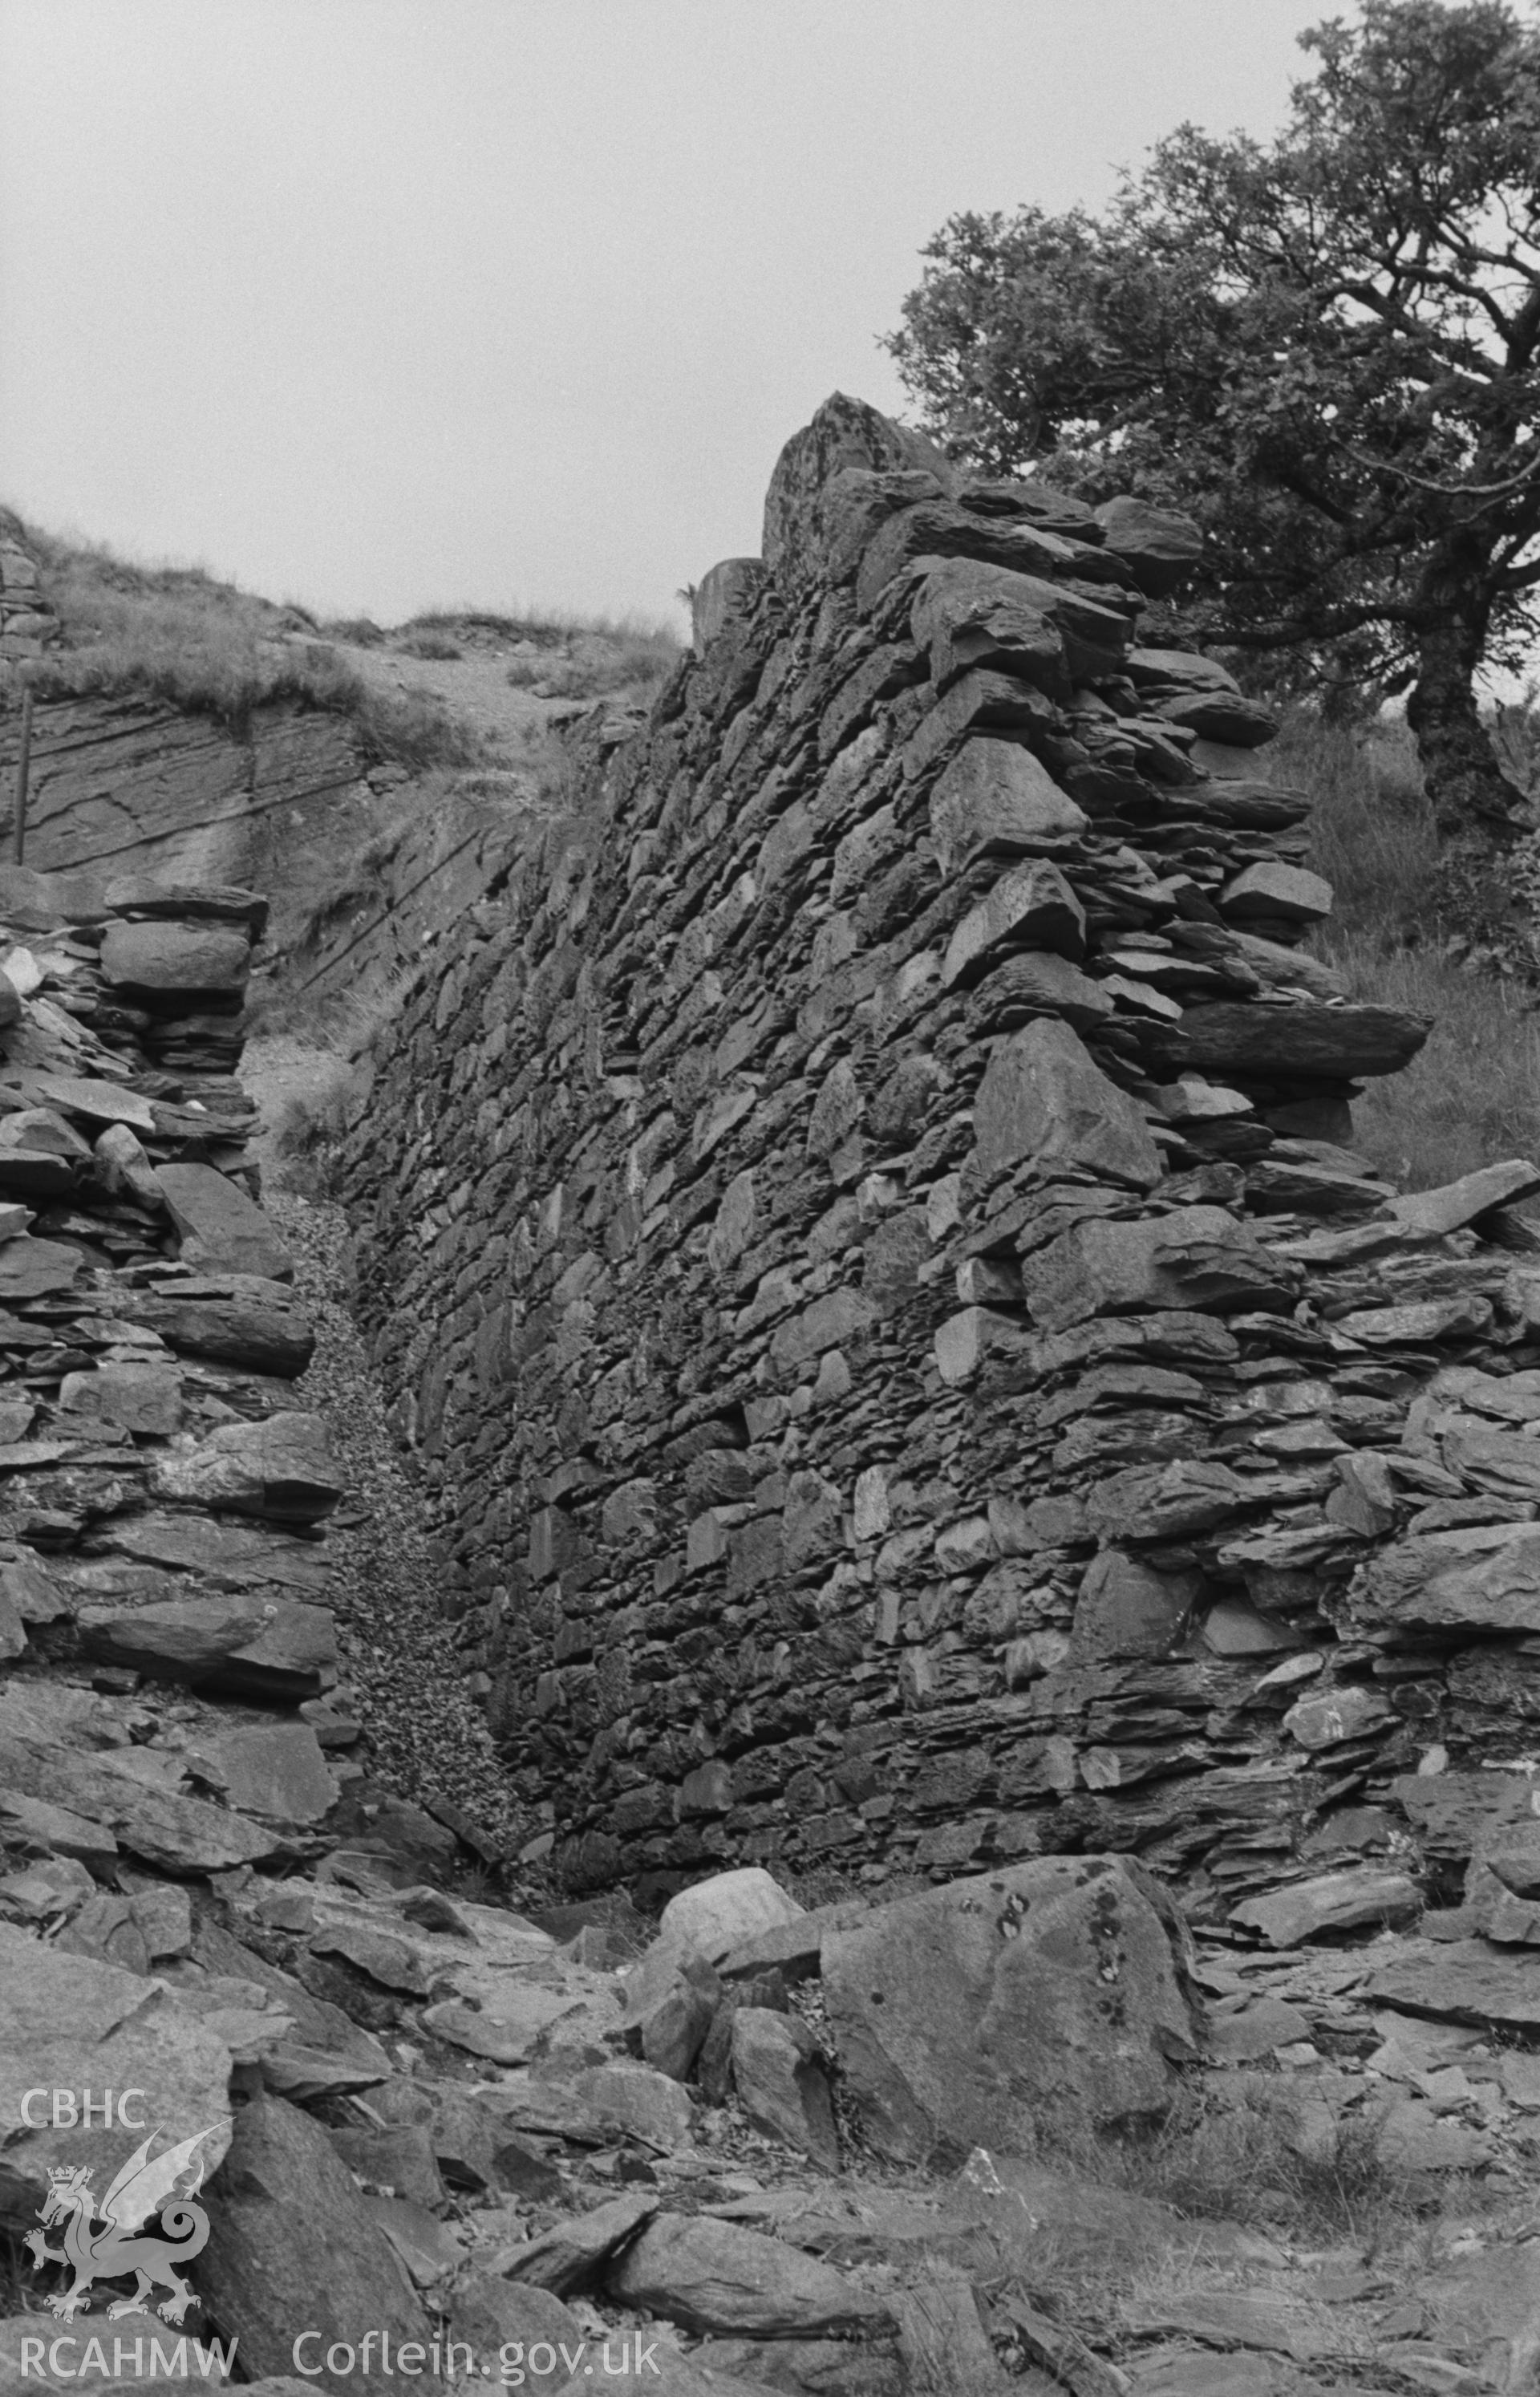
717,2156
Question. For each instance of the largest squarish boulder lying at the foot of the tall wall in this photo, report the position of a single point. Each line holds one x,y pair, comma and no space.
1038,2000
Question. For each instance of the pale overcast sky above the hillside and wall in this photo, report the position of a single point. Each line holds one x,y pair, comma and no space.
401,303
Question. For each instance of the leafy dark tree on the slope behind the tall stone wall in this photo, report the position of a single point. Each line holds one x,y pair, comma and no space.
1326,346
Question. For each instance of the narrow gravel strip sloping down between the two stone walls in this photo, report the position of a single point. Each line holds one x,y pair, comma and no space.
428,1739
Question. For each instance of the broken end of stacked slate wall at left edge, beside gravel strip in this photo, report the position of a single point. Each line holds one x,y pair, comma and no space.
162,1495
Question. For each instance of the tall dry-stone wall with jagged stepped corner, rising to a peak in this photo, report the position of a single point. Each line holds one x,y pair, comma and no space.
863,1250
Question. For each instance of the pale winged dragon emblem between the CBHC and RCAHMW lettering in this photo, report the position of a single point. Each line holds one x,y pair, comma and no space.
140,2192
